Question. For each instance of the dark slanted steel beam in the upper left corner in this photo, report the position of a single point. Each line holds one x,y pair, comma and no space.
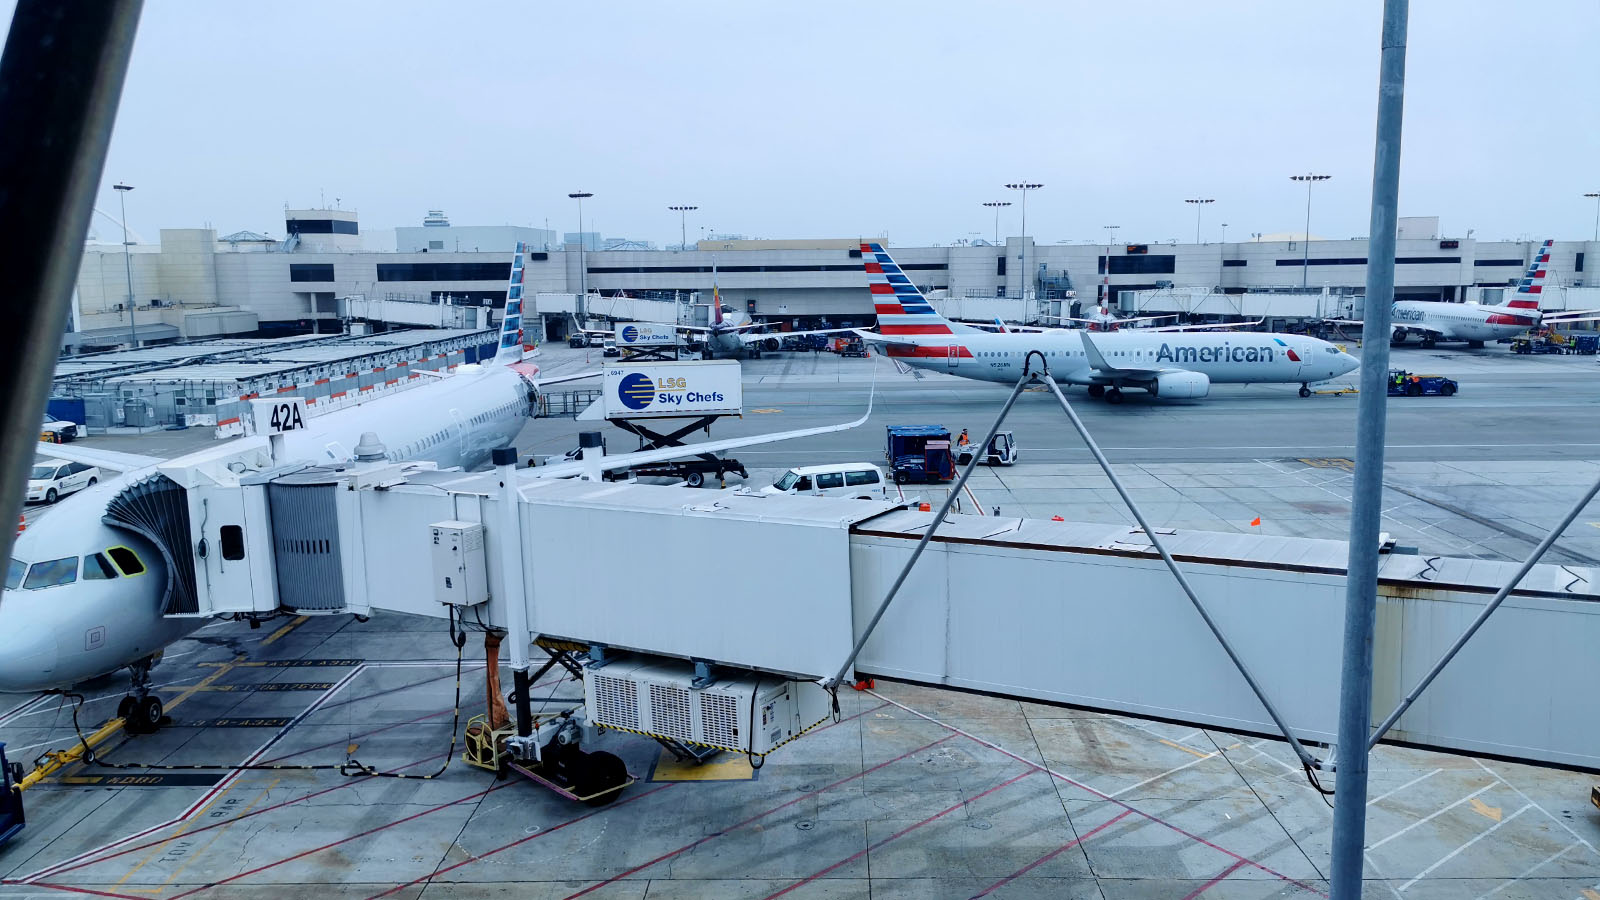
60,84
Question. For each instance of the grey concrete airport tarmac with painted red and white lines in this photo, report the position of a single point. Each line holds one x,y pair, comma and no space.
914,792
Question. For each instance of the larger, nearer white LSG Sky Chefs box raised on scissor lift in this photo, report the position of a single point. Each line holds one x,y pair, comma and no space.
662,390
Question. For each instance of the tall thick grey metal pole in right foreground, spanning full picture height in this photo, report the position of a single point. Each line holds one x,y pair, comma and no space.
1361,589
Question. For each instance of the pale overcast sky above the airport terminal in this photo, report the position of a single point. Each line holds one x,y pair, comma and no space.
855,119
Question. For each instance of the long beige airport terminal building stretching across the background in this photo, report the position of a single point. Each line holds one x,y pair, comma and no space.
201,286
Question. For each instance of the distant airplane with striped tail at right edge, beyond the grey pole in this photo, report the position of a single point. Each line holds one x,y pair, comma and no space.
1471,323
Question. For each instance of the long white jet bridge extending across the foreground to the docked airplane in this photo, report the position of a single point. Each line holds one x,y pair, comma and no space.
692,589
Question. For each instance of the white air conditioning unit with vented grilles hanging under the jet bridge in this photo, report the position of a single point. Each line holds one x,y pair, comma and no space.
743,715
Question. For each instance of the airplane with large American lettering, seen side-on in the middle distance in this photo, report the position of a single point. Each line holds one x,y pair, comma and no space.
1166,364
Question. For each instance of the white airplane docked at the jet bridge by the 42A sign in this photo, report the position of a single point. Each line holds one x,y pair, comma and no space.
86,598
